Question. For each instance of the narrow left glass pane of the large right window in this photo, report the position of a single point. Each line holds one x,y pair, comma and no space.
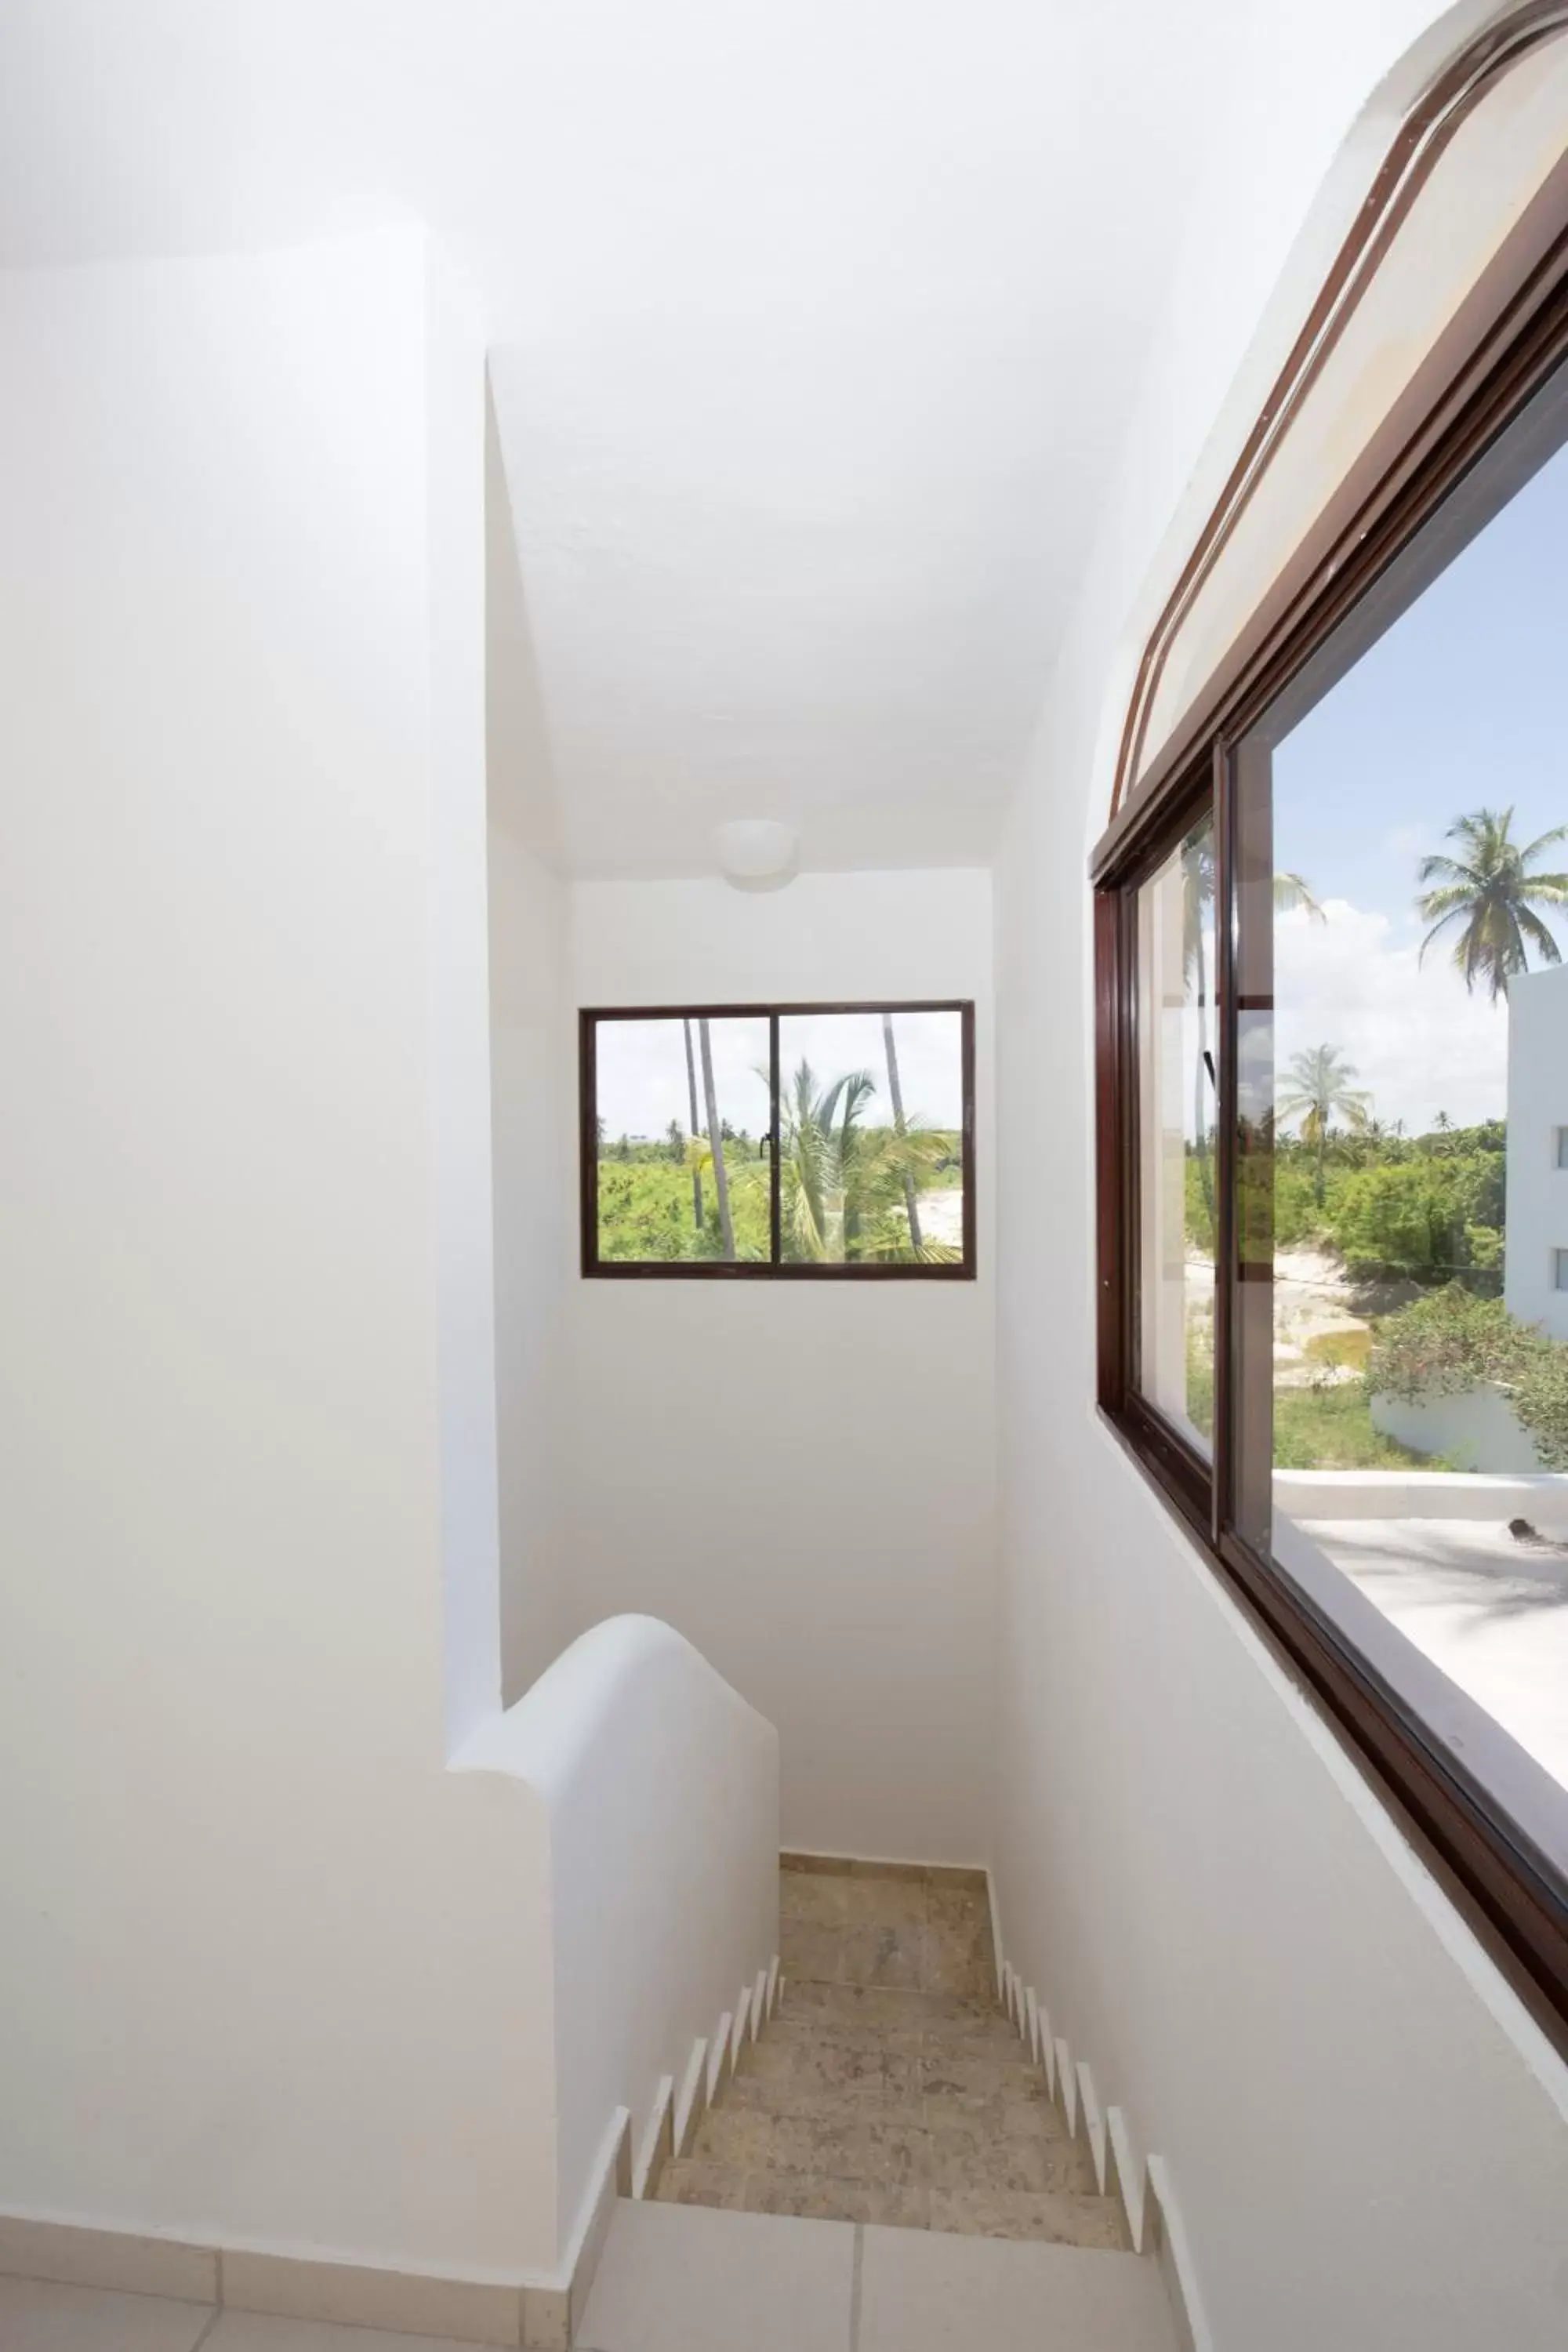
1177,1137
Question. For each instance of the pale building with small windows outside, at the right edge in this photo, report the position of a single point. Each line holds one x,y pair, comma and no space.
1536,1283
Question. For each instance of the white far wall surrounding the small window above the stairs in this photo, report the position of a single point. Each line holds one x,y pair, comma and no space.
803,1476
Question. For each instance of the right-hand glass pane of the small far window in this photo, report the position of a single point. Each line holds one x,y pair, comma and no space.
871,1140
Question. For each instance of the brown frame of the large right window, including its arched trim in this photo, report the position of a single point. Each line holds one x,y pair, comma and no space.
1513,1895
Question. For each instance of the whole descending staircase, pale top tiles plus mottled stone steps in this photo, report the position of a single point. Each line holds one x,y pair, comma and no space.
852,2184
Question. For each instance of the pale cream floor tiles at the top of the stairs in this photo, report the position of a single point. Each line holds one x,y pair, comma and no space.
690,2280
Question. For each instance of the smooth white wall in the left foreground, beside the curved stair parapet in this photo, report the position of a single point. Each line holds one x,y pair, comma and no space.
272,1977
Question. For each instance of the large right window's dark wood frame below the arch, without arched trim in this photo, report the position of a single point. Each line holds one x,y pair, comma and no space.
1510,1892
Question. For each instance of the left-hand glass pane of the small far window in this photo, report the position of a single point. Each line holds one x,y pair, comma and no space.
681,1140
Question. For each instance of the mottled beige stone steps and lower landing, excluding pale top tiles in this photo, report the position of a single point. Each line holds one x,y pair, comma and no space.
892,2087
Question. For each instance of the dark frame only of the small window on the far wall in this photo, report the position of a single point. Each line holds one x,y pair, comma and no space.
772,1269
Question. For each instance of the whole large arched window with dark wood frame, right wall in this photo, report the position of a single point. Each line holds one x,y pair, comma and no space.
1334,1005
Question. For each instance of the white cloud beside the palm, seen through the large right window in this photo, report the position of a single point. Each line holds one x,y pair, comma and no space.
1416,1038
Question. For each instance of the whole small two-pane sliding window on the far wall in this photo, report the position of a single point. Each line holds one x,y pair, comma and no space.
779,1142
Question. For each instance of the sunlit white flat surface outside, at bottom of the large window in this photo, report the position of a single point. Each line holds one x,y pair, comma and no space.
1487,1610
